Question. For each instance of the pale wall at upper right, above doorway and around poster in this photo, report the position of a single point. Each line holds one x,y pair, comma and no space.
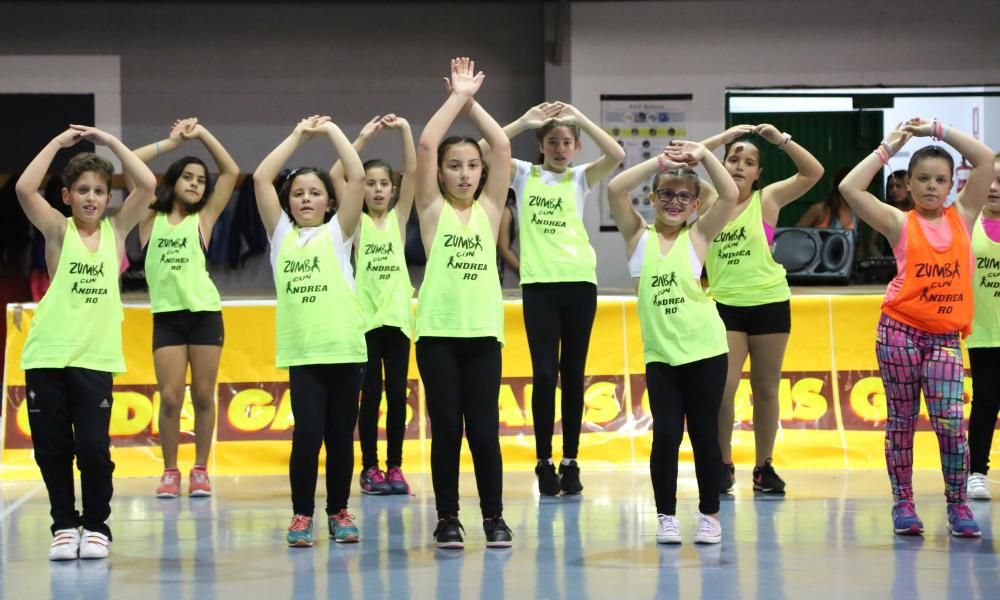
704,47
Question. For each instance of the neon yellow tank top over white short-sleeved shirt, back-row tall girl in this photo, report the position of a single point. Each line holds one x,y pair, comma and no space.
554,242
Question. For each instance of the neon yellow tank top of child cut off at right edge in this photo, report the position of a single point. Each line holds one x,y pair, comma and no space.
985,290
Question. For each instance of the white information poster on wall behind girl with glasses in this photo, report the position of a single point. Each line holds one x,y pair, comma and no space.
642,125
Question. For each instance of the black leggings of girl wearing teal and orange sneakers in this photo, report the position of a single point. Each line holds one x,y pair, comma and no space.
325,407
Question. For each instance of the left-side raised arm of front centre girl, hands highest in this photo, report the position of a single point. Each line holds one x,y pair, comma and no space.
465,82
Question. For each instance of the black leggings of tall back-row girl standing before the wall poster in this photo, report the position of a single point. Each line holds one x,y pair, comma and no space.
558,318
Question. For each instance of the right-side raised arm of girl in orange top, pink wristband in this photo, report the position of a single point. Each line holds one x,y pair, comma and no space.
972,198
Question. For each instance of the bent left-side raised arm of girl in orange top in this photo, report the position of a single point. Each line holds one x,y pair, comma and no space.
883,217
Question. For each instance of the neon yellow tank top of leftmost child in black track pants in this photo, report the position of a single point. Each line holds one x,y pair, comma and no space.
78,323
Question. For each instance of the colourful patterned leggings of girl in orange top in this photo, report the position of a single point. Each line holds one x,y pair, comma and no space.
912,360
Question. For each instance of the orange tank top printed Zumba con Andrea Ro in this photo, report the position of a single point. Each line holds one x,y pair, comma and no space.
936,294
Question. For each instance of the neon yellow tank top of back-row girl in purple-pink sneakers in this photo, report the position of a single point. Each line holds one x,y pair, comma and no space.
383,282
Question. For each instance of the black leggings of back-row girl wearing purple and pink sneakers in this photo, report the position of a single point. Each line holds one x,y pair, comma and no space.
389,346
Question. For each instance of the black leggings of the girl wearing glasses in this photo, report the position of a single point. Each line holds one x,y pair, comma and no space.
693,391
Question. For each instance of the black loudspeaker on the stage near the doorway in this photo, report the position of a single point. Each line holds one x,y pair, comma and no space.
815,255
